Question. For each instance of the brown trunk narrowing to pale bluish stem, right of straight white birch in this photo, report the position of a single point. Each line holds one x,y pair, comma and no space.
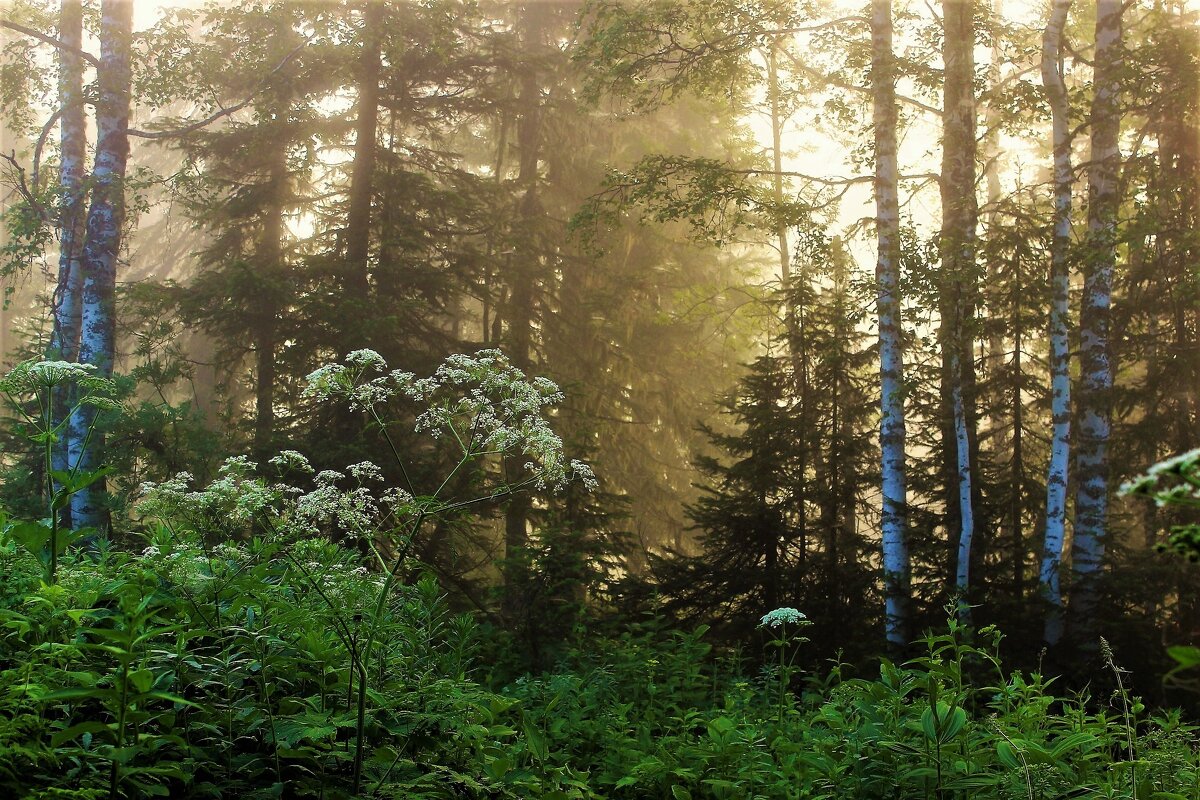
961,213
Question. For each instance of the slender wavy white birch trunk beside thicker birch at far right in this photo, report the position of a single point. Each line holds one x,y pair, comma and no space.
1049,586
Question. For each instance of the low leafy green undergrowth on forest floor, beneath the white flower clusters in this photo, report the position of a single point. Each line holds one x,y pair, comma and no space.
235,670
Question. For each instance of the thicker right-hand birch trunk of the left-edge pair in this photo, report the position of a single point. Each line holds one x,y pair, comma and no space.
106,218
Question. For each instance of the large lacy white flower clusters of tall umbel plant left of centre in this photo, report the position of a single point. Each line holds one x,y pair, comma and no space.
479,401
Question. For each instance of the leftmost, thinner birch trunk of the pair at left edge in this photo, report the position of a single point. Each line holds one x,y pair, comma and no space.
74,146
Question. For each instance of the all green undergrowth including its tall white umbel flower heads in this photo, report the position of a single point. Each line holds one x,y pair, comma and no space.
273,636
